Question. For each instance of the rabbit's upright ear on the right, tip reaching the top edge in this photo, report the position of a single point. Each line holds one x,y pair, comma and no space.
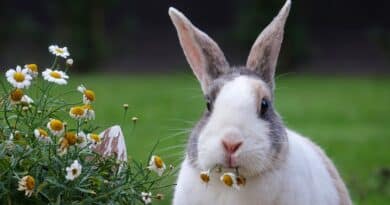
265,51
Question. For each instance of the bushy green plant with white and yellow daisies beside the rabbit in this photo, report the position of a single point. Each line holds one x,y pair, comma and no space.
50,152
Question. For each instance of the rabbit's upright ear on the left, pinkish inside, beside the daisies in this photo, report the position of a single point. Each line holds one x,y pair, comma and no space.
203,54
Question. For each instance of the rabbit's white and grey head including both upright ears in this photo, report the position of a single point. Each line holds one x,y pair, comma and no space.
240,128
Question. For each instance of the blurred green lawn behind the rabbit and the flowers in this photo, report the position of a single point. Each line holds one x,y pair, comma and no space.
348,117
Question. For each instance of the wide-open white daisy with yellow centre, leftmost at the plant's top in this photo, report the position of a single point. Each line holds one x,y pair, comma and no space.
19,78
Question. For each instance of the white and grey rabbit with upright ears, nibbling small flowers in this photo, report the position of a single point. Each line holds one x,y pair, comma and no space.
241,131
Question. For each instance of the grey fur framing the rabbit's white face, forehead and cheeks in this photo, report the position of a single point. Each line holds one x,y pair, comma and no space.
277,133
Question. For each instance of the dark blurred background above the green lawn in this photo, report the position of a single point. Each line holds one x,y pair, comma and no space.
333,36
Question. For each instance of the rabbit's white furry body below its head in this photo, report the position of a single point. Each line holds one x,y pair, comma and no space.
302,180
